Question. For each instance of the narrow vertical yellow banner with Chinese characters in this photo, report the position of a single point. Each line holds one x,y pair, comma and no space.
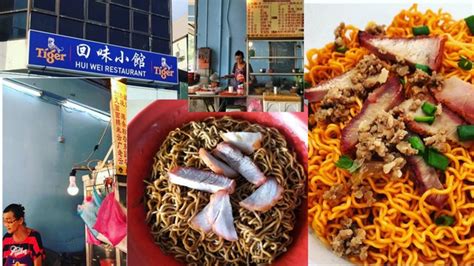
119,125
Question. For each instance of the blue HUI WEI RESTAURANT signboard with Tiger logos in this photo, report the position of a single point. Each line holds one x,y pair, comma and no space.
78,55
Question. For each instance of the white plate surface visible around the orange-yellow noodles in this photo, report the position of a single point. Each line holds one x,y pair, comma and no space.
320,21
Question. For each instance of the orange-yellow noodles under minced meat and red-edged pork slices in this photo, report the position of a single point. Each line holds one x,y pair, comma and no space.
399,226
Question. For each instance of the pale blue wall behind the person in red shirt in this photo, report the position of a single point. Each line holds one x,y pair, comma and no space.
36,166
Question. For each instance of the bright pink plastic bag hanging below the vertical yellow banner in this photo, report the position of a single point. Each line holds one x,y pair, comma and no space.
111,220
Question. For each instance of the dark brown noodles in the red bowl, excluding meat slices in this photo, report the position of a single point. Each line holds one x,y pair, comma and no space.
262,236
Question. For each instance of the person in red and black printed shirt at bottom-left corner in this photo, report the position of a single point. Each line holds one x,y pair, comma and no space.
22,246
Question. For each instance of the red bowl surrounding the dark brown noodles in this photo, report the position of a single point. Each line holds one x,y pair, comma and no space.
148,130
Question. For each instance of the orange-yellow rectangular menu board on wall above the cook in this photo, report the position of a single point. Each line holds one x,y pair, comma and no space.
275,19
